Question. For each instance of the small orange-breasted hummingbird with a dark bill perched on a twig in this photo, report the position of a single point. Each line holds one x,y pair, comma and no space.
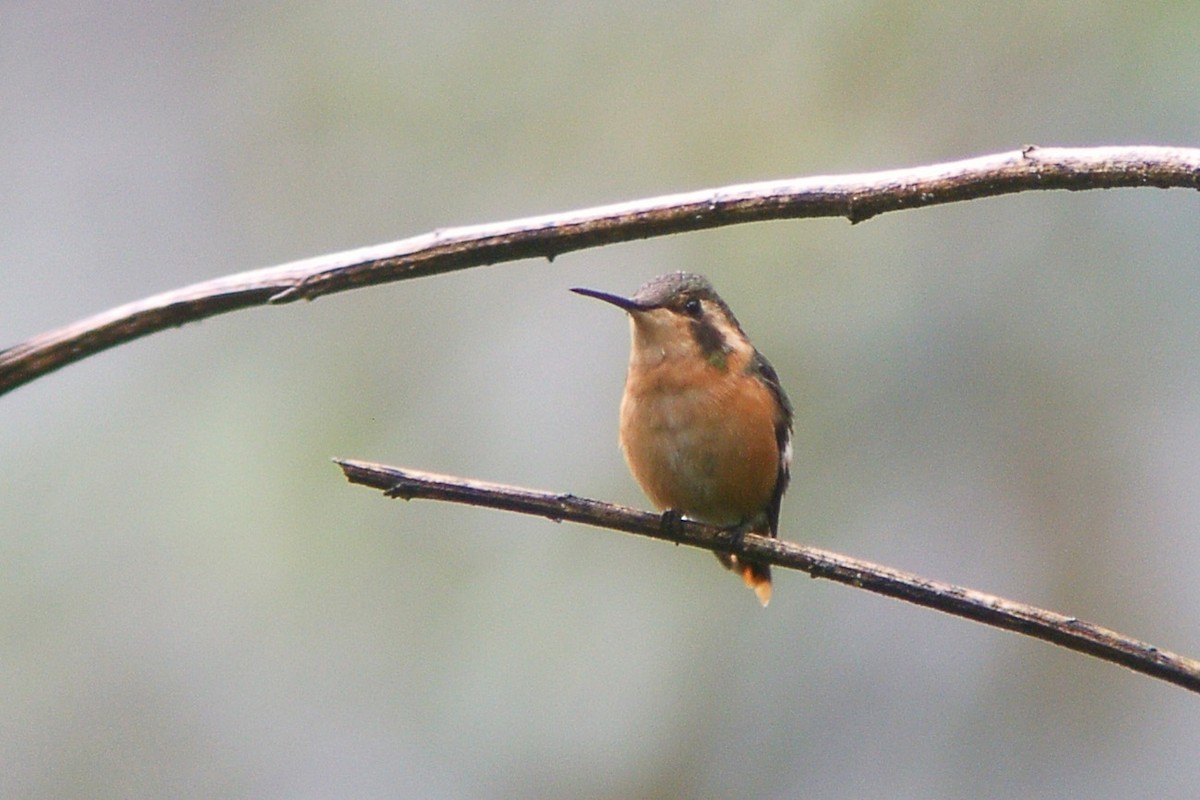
705,424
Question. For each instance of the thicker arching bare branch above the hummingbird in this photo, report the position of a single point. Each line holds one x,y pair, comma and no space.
855,197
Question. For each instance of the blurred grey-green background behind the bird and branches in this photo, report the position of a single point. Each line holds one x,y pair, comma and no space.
1001,394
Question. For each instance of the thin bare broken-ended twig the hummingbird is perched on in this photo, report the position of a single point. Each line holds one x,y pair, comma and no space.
1067,631
